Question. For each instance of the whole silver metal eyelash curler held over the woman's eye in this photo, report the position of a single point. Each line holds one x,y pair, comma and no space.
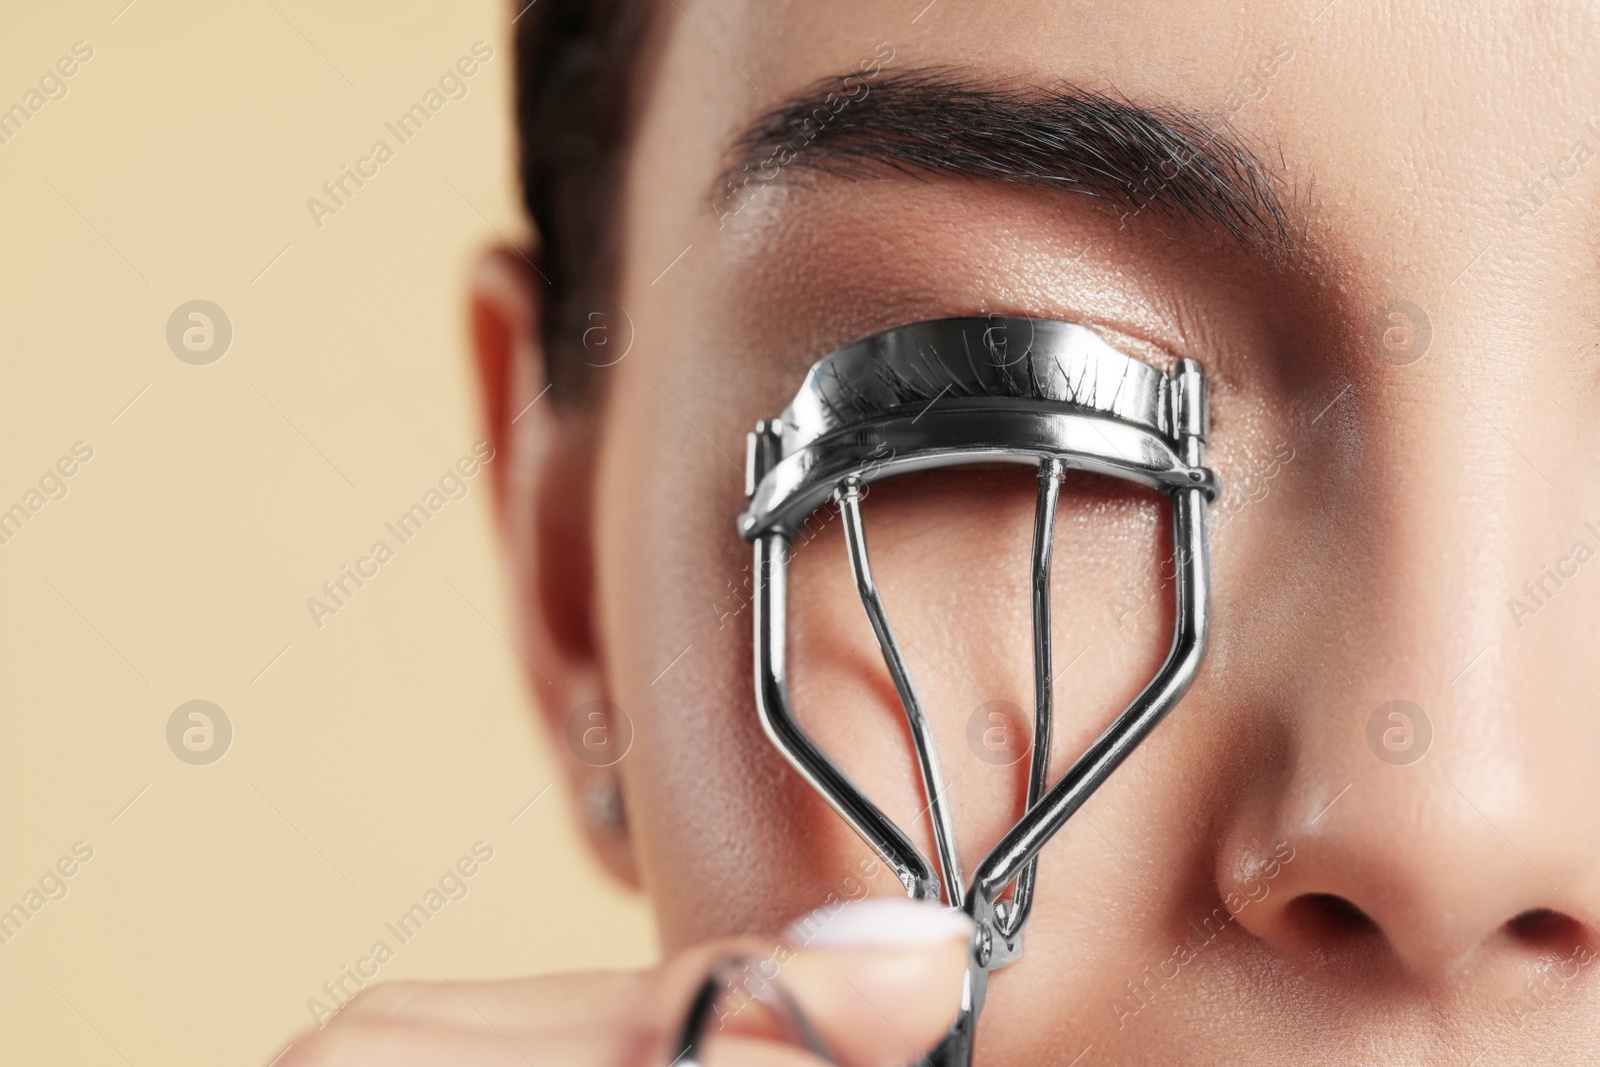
962,391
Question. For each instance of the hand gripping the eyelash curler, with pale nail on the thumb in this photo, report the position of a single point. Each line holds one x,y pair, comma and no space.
879,980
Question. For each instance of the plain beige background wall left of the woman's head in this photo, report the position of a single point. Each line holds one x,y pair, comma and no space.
369,754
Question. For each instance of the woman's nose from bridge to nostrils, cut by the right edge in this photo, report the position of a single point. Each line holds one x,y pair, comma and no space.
1433,799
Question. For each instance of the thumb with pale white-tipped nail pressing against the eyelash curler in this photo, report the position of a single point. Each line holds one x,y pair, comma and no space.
881,980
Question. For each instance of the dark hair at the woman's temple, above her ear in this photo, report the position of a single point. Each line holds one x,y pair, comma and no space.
577,63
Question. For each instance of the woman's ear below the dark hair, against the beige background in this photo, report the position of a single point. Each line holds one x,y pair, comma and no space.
543,478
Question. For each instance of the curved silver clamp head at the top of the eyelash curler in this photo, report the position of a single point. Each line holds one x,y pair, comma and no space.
966,391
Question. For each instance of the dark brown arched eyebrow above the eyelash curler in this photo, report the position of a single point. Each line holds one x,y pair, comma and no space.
940,122
